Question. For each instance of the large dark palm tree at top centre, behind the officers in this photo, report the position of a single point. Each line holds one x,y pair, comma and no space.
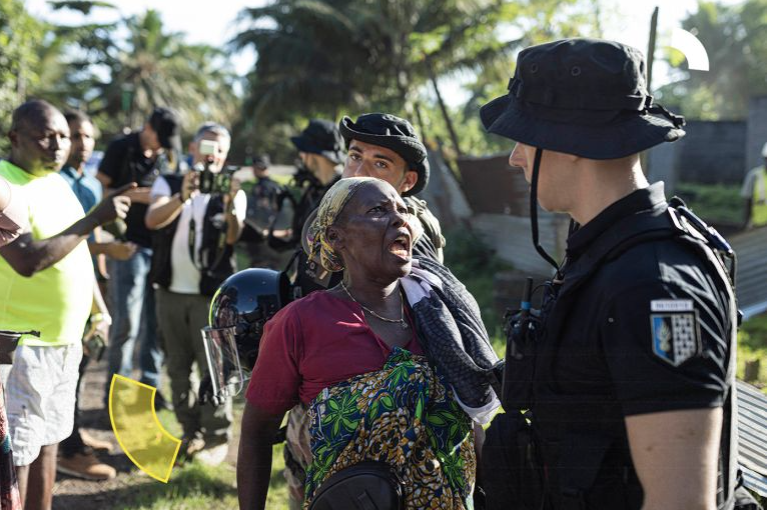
323,56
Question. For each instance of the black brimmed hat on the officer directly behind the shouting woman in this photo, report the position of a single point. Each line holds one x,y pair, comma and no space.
394,133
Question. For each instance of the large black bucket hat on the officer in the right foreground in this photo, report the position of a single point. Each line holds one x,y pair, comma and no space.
585,97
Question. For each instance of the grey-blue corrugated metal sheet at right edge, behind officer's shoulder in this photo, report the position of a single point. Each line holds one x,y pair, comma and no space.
750,247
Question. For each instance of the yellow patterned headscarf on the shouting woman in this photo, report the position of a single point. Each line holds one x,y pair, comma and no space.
330,207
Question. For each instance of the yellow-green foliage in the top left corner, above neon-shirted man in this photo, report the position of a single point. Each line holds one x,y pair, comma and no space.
20,37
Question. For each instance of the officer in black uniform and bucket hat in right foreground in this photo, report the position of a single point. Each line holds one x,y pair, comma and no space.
632,357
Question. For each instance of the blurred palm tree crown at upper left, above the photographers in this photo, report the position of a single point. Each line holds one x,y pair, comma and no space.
118,80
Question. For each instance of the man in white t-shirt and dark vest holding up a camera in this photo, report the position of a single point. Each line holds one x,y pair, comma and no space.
192,255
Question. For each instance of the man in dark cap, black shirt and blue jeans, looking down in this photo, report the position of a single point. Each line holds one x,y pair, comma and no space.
137,157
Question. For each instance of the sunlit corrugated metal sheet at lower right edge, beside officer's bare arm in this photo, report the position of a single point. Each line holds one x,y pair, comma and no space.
751,427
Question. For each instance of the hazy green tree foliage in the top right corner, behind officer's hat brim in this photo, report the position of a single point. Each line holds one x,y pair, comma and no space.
735,39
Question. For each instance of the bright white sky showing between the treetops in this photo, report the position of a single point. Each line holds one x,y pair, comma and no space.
215,23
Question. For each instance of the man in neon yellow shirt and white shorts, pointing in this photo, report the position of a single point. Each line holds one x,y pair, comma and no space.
46,284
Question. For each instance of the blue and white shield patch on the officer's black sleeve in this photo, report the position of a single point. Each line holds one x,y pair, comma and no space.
675,330
